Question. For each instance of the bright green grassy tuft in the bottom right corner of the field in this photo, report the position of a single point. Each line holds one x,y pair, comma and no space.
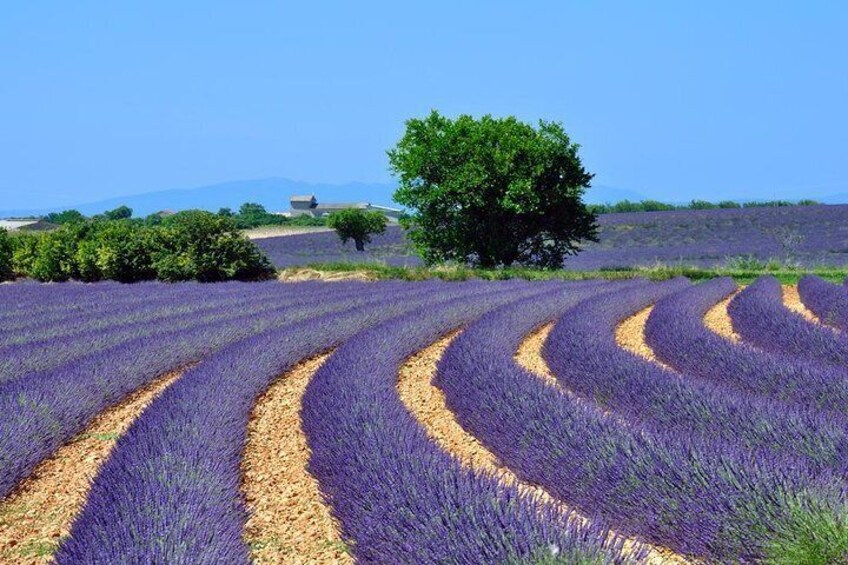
811,536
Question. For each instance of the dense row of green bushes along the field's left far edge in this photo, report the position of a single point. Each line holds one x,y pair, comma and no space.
187,246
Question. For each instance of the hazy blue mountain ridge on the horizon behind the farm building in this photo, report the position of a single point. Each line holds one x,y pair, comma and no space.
273,193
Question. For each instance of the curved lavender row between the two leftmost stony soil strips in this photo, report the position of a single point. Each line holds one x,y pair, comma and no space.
194,434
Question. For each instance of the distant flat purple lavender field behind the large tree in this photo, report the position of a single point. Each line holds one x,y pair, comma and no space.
803,235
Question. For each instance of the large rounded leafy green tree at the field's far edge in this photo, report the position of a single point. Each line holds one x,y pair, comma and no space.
492,192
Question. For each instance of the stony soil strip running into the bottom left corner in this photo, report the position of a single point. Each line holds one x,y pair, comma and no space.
39,513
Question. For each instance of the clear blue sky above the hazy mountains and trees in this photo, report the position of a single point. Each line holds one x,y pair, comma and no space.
671,99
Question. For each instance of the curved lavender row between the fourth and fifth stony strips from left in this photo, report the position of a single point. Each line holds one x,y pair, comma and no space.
582,352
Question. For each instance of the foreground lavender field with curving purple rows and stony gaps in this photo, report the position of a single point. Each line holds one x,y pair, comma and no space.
424,422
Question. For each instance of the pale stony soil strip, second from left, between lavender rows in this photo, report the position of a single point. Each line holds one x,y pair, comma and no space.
289,522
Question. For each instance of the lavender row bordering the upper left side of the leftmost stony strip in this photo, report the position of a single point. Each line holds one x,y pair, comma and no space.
51,409
